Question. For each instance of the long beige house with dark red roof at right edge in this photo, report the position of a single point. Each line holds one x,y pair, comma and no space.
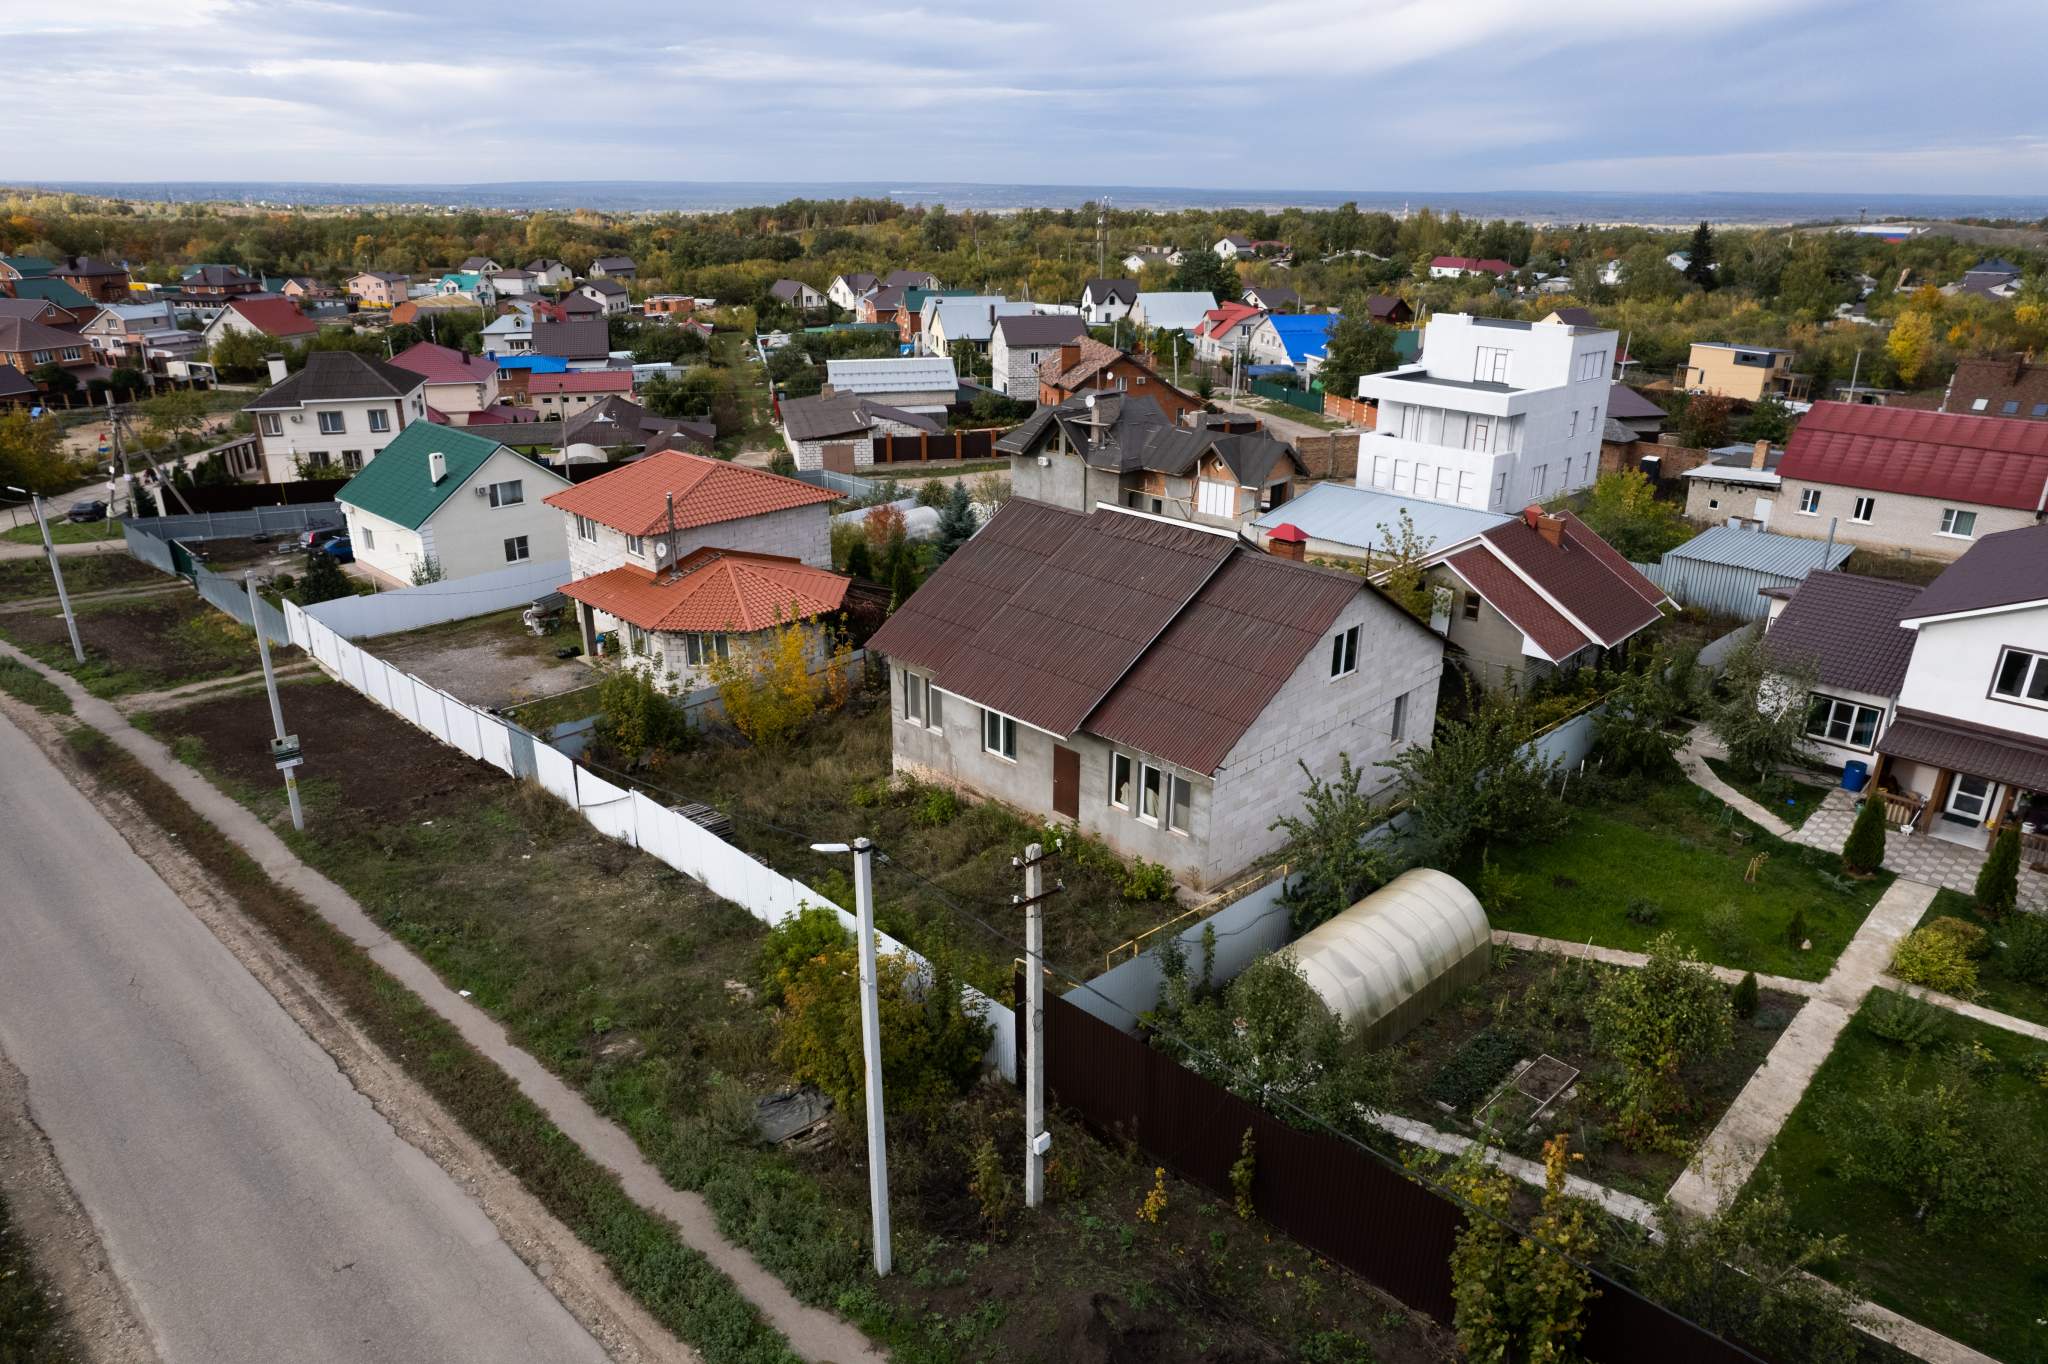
1906,480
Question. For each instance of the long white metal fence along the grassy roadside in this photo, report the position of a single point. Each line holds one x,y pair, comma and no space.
615,812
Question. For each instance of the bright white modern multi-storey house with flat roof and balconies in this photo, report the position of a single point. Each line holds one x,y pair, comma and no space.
1496,415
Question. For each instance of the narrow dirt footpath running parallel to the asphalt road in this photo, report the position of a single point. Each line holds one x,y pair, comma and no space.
812,1334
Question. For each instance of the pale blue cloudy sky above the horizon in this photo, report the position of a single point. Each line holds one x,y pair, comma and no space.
1369,95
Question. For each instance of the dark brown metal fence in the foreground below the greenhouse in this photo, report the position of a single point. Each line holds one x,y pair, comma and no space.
1320,1191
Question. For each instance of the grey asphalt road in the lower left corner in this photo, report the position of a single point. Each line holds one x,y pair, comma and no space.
253,1203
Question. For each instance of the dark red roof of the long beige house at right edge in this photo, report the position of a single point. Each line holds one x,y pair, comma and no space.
1951,456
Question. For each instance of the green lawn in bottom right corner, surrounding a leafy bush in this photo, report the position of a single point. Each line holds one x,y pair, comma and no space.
1983,1285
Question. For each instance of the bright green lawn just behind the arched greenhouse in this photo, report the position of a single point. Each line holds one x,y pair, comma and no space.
1678,857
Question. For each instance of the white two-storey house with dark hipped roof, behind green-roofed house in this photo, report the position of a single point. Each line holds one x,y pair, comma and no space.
337,413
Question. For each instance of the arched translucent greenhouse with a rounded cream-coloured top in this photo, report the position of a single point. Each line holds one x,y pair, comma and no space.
1398,955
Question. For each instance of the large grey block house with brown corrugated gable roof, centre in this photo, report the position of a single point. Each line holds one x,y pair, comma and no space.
1158,685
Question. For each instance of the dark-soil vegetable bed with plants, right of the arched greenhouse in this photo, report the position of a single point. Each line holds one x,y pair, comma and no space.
1533,1005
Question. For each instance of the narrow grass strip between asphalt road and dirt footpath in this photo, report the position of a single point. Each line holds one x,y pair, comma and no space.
685,1291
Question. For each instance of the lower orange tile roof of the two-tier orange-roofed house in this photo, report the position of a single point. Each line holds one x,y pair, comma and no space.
714,591
